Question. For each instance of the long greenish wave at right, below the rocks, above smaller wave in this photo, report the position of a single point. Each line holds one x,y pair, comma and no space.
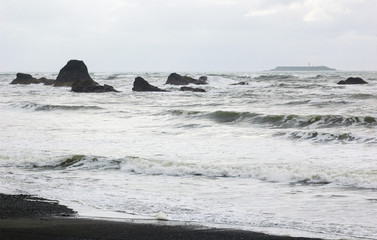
281,121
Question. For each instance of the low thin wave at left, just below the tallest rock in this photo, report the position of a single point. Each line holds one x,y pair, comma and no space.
47,107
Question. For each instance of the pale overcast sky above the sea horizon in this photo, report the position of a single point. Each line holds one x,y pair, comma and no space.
187,35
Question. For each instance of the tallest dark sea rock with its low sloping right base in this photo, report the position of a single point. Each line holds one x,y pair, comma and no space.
75,74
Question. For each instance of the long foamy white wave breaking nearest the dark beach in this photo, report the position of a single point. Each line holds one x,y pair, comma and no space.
279,173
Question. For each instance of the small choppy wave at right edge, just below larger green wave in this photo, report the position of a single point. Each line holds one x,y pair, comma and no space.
320,137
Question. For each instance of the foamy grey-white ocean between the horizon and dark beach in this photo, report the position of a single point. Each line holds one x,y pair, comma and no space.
291,153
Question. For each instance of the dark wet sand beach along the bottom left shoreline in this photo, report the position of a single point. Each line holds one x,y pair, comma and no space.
26,217
